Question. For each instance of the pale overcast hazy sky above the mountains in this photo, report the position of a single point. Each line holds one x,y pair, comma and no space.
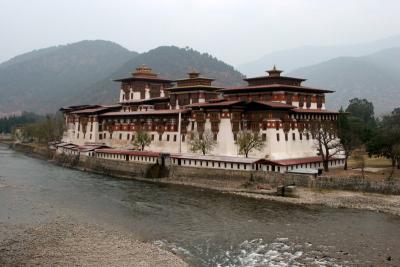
234,31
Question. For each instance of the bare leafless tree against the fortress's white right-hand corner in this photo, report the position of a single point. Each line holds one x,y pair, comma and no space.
326,142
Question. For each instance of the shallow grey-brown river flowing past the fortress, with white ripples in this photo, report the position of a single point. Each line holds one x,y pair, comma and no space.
205,228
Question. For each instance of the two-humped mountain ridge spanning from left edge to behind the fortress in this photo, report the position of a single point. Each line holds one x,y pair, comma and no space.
44,80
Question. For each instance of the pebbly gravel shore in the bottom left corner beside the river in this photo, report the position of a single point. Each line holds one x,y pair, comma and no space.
62,243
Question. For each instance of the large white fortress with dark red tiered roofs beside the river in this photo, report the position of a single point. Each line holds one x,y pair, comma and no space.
278,108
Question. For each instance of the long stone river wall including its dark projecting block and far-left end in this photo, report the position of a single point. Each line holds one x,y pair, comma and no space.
146,170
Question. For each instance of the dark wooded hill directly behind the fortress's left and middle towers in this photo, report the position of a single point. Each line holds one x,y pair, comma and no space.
169,62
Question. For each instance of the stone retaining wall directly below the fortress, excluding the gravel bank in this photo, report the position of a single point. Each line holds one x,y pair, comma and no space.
221,177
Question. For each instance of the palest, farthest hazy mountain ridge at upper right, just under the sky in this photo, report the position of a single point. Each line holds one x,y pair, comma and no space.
291,59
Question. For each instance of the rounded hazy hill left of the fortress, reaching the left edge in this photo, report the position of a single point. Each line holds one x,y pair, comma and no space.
45,79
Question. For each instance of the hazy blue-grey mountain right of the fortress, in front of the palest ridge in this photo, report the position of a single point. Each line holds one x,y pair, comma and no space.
375,77
